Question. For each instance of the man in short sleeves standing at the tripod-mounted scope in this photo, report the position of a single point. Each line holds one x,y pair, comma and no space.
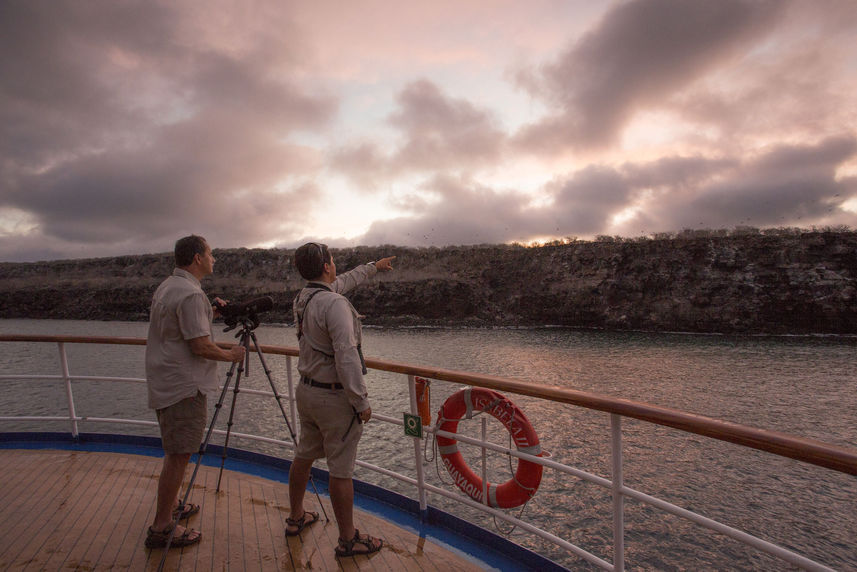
181,370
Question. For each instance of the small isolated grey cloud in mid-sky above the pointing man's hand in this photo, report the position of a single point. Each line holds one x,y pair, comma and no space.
438,133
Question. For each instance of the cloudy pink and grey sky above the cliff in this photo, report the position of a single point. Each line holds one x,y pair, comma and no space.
127,124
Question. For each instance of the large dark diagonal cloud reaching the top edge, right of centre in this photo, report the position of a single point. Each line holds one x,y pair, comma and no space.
640,54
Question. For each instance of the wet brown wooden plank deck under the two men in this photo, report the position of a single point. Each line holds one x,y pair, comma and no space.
70,510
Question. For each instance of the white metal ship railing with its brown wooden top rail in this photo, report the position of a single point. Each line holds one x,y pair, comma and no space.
806,450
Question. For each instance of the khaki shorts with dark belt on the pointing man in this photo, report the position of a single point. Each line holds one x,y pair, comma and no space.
327,430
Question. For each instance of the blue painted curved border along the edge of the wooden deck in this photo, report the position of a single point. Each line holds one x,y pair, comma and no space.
462,537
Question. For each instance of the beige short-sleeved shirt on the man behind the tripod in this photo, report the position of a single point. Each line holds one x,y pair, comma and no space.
180,312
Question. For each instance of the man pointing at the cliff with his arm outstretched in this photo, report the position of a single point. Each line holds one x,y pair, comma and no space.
332,398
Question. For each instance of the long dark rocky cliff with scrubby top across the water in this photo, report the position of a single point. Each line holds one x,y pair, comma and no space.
761,283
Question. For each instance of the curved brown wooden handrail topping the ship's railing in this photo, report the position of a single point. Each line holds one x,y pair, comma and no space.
799,448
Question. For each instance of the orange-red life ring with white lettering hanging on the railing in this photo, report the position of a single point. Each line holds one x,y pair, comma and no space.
517,490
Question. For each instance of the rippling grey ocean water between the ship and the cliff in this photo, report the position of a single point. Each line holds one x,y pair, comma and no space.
803,386
